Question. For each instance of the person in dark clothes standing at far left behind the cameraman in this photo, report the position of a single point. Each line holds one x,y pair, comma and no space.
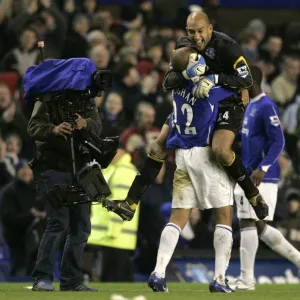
19,210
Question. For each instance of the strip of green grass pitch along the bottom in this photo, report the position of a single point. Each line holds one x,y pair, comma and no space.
178,291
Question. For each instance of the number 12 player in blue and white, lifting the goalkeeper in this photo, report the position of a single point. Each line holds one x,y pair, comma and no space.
199,180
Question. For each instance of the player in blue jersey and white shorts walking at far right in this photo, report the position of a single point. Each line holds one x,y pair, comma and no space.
262,143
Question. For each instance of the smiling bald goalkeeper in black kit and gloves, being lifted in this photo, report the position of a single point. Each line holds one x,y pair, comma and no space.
223,64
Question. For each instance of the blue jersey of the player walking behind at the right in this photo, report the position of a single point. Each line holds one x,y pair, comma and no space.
262,138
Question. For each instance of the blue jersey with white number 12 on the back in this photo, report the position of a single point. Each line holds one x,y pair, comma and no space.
193,120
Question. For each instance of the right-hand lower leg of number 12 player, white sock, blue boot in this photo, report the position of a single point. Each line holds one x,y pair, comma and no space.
222,245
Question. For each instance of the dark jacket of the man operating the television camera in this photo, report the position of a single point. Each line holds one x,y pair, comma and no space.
53,152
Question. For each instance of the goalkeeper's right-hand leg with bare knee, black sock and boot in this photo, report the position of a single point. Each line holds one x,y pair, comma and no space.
232,163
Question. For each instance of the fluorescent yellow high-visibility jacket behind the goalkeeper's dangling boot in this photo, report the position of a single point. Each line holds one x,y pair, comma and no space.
108,229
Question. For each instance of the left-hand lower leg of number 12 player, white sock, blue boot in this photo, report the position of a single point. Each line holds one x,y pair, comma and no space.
168,241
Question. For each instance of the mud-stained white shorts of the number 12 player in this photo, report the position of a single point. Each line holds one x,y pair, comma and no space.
200,181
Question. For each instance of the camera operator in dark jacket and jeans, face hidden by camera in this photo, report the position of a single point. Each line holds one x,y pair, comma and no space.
53,165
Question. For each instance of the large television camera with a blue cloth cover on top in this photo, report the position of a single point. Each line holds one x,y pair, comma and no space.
71,85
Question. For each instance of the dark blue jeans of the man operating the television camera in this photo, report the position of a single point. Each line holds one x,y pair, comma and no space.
73,222
